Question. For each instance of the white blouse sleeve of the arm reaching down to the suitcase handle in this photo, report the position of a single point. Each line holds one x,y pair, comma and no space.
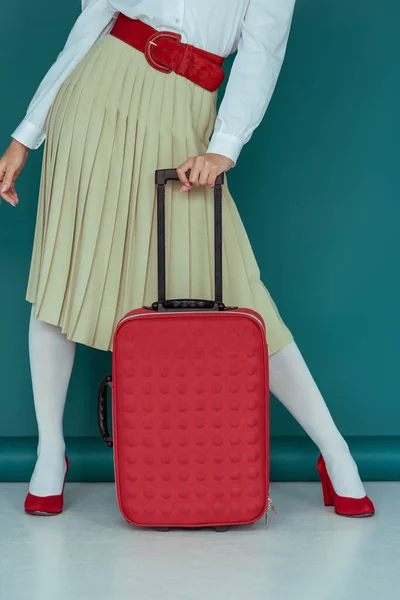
254,75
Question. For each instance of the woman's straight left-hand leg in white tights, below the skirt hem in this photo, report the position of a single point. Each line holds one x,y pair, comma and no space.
51,358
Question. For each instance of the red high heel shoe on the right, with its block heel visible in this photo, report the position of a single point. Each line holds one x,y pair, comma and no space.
345,507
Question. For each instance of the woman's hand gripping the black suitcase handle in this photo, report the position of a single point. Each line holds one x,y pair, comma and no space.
204,170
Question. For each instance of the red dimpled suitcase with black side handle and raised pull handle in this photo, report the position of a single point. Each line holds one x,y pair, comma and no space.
190,405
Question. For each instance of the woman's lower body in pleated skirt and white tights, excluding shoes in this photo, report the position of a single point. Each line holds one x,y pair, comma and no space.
113,123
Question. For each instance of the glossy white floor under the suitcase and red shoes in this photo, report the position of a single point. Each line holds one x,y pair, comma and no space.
307,552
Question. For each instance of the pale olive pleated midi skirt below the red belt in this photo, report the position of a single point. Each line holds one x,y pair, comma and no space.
116,120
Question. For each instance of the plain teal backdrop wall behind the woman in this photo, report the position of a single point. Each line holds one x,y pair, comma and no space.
318,191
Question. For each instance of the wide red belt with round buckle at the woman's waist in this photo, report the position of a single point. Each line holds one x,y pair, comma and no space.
165,52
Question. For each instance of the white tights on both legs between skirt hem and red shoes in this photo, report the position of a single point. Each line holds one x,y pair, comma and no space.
52,358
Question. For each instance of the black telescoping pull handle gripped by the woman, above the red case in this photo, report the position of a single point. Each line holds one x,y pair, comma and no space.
162,176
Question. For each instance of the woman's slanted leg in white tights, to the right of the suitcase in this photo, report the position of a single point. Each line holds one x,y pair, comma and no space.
292,383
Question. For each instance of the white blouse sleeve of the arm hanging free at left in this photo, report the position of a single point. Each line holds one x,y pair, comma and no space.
95,20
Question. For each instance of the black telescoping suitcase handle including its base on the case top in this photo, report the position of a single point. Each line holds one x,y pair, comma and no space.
162,177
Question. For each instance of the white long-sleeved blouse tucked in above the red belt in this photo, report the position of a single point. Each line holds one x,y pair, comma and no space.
258,29
